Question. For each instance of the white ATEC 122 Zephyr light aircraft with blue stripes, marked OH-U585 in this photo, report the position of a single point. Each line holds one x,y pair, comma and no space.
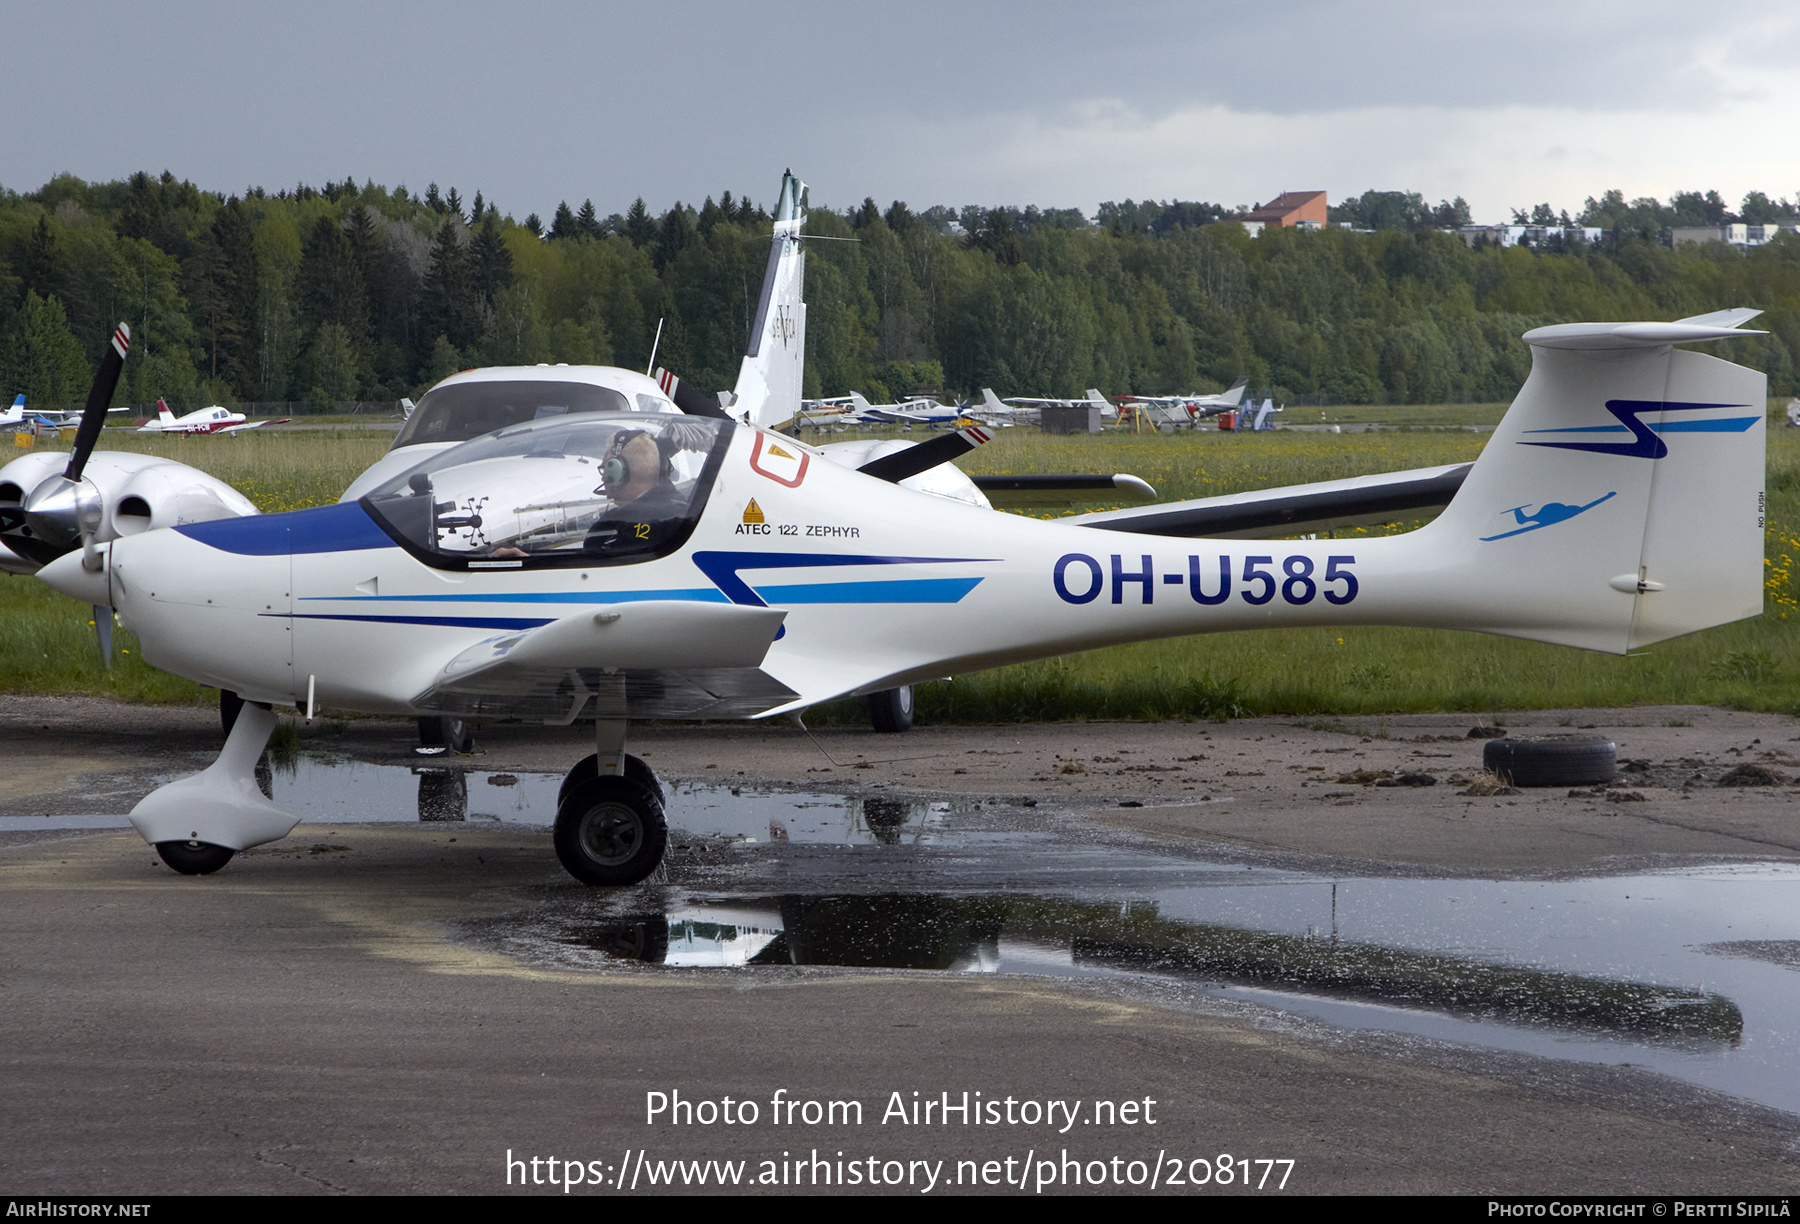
618,566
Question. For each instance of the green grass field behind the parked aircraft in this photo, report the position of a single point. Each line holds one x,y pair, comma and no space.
48,645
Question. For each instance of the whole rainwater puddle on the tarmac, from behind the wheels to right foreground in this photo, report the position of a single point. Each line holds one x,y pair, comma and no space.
1691,973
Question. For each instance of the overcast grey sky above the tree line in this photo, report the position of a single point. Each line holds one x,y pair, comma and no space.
933,103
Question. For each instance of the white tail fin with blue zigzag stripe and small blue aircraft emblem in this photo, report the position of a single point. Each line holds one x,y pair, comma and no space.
1621,499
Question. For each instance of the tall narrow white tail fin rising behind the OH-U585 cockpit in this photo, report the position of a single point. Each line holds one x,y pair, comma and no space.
769,382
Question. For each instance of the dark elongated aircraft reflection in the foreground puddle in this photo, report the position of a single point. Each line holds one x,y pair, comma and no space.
980,935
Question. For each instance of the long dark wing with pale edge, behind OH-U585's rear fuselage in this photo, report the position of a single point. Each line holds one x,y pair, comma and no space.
1293,510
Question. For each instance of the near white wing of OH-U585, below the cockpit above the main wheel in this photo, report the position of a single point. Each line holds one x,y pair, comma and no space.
649,660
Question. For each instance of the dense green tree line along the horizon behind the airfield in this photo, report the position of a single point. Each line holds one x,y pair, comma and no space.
364,292
